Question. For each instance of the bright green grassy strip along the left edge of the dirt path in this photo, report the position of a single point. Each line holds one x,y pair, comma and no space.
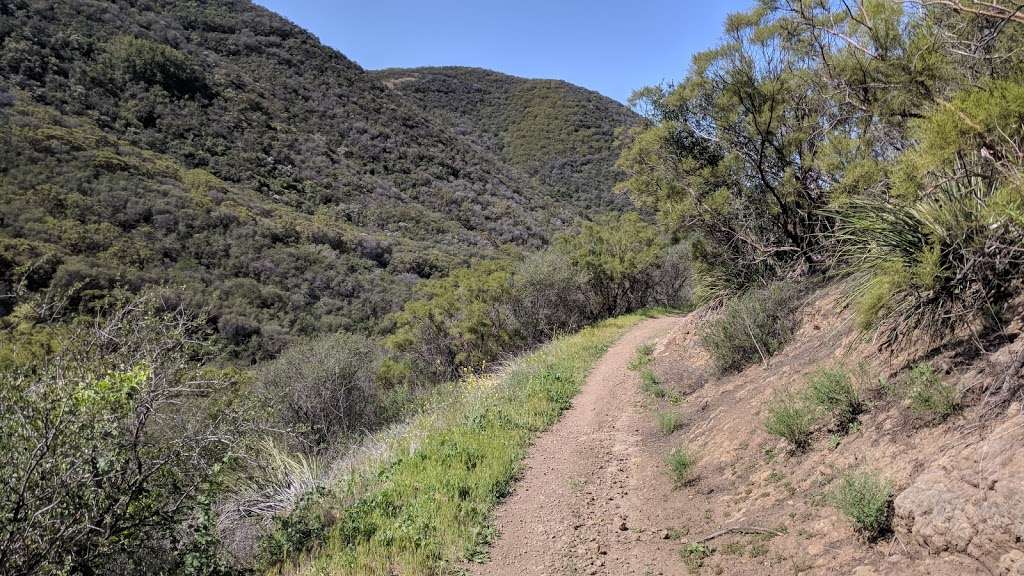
428,503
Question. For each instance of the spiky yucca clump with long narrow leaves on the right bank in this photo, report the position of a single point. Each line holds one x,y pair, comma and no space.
949,261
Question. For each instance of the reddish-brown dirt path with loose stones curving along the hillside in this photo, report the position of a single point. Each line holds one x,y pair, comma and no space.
594,498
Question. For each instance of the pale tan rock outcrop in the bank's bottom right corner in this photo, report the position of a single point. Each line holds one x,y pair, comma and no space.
972,503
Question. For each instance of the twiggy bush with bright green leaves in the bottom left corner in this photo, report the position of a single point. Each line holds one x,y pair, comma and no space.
111,448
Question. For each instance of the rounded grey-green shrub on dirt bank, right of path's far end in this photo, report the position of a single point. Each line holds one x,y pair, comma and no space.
751,328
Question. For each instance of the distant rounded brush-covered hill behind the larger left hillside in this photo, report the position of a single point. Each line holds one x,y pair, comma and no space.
560,134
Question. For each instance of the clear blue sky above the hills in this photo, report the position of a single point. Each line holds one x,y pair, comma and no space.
610,47
